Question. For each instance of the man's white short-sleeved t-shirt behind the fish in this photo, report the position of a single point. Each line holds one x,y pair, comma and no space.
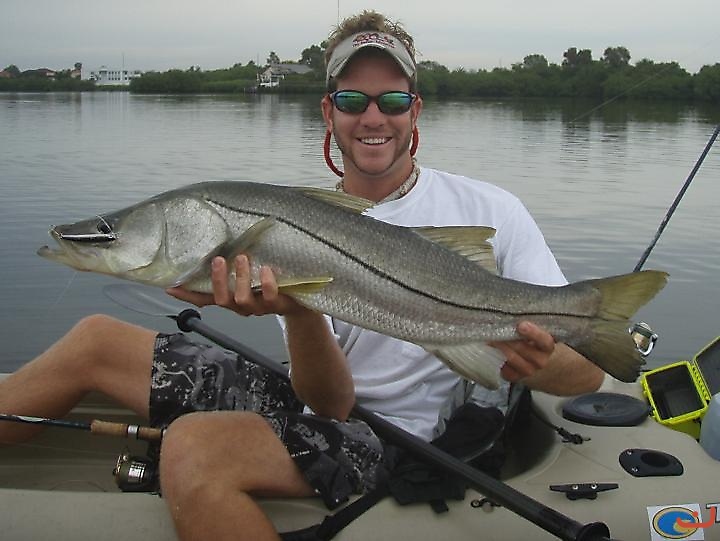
401,381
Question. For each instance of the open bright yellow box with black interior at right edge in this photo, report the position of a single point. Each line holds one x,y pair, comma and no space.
679,393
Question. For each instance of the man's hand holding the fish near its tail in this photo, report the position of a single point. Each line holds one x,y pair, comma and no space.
527,355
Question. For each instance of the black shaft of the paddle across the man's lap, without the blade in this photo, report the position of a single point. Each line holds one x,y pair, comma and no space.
548,519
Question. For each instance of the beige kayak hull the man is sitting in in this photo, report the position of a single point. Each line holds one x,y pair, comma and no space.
61,485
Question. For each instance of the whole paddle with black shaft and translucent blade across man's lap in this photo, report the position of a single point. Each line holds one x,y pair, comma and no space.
145,300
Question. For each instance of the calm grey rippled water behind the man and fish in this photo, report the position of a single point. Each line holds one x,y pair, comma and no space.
598,183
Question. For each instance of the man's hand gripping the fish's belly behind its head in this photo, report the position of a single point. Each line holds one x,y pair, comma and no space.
241,299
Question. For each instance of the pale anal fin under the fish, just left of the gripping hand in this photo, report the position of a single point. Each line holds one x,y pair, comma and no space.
477,362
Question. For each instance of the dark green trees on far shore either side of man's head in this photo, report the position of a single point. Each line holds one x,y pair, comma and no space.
578,75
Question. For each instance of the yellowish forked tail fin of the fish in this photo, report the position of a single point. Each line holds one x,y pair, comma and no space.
612,347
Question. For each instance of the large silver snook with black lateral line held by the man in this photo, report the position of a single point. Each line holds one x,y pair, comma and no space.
423,285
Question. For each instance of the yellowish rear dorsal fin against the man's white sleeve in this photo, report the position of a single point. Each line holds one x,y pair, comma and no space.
469,241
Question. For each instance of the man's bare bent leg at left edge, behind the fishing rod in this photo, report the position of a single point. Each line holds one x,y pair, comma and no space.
98,354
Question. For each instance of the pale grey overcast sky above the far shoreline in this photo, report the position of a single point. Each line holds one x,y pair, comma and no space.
474,34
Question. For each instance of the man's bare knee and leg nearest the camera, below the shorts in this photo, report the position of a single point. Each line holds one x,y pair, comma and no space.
213,464
